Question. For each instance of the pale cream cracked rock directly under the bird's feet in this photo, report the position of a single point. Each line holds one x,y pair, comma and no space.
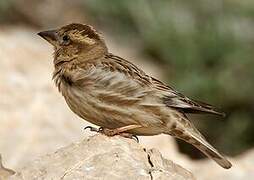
101,157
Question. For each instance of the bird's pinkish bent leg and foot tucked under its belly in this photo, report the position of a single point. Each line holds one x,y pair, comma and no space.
120,131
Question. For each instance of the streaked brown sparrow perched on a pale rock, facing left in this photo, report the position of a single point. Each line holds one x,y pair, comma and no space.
116,95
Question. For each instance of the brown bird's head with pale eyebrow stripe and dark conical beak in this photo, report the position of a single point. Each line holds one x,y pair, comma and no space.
75,41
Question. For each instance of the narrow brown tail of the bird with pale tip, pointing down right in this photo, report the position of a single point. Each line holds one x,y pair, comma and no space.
197,140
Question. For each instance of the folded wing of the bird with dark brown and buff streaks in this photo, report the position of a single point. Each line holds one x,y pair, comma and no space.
140,84
